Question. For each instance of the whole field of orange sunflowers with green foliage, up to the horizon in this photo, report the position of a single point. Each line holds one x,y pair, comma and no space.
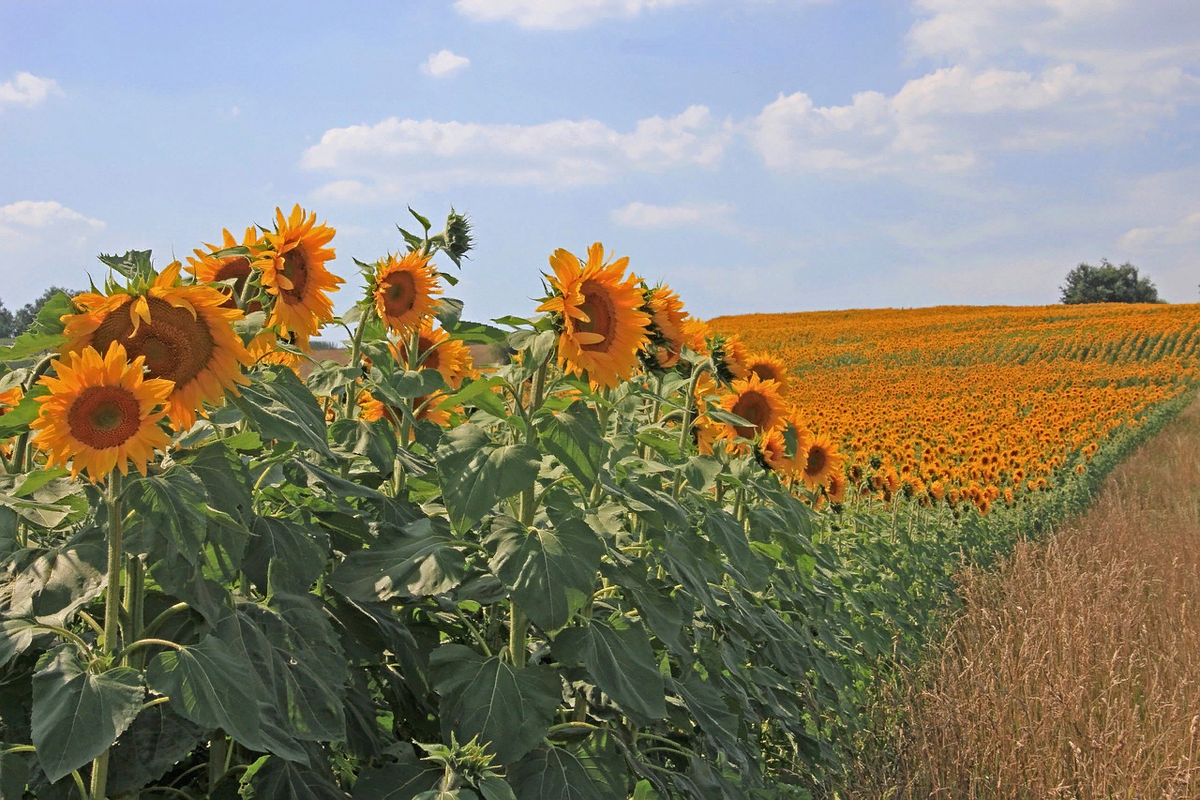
643,558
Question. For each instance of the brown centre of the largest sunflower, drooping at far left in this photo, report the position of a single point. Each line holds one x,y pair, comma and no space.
176,346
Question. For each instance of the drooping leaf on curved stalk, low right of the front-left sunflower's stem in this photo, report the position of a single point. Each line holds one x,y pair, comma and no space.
207,684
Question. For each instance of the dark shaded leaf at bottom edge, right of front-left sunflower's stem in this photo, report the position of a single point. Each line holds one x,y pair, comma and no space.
158,741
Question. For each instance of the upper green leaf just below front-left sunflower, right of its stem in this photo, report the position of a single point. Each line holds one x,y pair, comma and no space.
169,509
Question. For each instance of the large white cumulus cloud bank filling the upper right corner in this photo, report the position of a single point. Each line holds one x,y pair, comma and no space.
1029,75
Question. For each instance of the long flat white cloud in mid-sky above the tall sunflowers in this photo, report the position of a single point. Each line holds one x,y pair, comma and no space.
371,163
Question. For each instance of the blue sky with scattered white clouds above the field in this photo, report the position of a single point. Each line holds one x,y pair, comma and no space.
757,155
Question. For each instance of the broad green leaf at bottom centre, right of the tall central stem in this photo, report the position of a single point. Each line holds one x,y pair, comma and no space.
622,664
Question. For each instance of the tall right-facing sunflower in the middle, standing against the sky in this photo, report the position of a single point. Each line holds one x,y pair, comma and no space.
599,314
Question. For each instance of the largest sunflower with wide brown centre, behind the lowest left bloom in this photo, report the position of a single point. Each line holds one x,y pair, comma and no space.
185,335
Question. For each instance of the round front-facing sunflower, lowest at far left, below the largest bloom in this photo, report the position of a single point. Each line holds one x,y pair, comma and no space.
101,414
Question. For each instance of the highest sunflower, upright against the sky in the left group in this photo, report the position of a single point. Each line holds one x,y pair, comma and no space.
293,272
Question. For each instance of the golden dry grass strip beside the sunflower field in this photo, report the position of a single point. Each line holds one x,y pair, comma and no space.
1073,672
